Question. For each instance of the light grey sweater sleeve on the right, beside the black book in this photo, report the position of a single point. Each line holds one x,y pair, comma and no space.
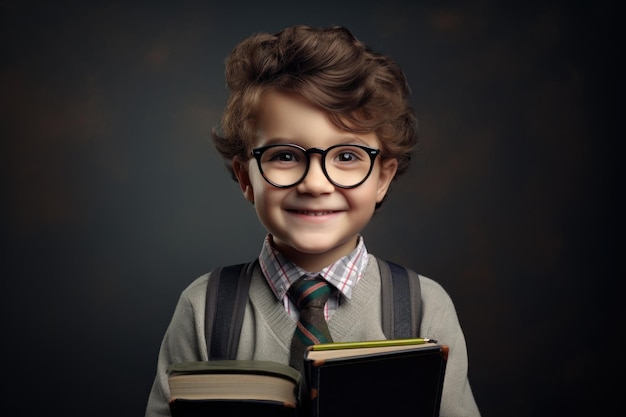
440,322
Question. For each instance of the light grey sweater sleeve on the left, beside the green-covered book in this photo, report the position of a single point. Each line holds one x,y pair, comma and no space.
183,341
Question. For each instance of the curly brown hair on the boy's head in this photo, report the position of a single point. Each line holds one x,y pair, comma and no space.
360,90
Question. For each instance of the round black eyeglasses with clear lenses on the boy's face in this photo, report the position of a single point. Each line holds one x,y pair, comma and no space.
286,165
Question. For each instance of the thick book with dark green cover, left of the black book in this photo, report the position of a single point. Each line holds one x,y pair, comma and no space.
233,388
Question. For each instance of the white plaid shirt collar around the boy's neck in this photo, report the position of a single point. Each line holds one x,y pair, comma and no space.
343,274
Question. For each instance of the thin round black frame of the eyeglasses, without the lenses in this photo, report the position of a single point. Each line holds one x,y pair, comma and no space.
257,153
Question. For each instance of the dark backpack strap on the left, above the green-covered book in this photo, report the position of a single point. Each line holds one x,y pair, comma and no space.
227,286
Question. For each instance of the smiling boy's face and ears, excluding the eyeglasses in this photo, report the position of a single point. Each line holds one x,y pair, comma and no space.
313,223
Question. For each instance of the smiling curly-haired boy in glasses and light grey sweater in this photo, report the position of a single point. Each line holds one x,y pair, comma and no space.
316,128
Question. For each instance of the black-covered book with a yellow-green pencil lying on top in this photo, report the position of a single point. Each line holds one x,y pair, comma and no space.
386,377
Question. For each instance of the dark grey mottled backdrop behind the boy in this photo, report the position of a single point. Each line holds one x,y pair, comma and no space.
114,200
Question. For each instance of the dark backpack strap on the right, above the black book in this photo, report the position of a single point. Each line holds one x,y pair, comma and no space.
401,300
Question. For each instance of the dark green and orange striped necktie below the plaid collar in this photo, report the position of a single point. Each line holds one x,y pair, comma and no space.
309,295
